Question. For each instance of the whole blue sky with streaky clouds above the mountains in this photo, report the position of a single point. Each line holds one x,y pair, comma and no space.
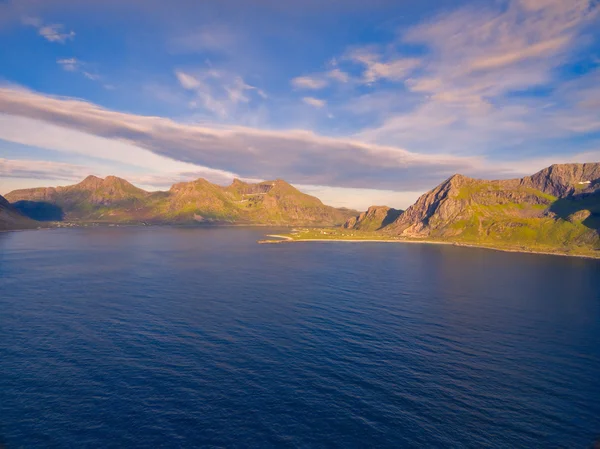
356,102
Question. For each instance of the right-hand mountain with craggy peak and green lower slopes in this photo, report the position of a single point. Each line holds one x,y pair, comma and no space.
558,207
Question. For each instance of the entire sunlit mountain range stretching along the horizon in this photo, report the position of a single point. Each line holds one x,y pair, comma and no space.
556,209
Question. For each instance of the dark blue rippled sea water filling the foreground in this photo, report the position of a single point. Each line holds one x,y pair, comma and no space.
166,337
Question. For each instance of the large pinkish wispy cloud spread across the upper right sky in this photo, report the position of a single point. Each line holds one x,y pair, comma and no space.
477,64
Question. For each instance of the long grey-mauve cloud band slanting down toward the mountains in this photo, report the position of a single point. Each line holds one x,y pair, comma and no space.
299,156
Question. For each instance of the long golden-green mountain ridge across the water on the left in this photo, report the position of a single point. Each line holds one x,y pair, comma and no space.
115,200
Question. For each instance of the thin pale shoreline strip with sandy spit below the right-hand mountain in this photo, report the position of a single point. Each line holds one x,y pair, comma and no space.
286,239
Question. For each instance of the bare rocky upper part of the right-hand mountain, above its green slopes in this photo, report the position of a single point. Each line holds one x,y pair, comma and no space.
461,204
